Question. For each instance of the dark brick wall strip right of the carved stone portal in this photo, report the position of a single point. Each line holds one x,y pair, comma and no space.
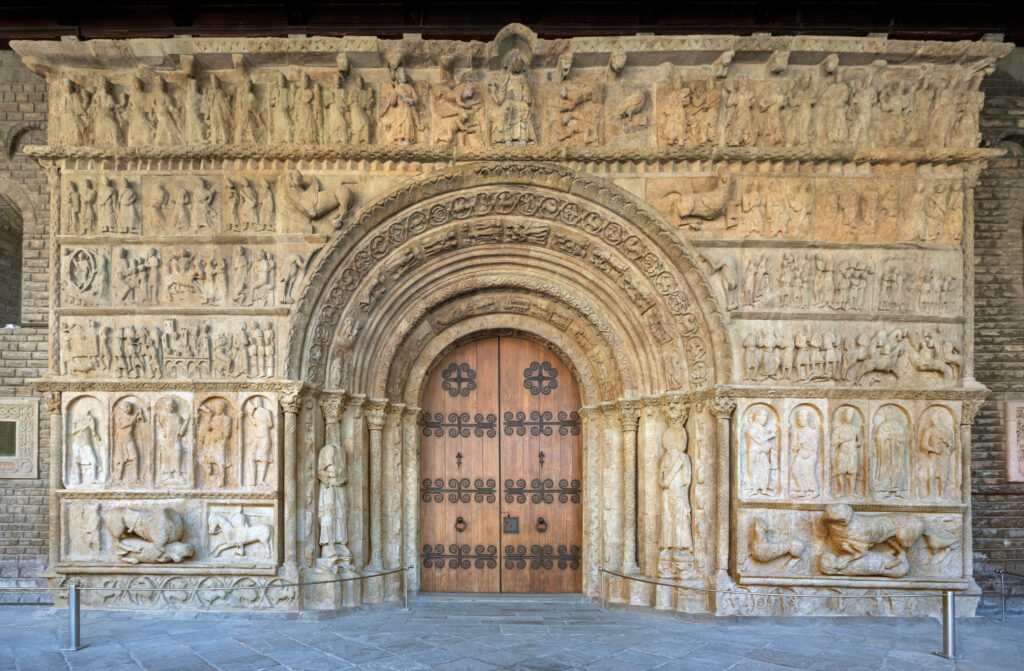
999,507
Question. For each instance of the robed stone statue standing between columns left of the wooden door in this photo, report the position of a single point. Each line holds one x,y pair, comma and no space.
332,473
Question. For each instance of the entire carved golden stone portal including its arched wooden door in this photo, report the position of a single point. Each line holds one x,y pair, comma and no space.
509,314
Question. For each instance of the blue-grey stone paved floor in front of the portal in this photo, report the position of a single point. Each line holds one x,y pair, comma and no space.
460,635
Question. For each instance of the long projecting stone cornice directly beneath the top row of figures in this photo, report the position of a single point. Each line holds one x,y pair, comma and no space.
424,154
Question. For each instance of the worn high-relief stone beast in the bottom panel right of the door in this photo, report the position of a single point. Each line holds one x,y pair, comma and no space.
875,544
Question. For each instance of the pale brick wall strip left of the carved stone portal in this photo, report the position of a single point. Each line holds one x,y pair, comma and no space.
24,504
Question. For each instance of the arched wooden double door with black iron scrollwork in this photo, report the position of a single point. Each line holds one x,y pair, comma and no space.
501,470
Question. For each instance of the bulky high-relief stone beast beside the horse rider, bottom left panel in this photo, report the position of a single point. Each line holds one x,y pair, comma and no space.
148,536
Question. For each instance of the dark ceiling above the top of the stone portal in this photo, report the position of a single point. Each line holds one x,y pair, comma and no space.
937,20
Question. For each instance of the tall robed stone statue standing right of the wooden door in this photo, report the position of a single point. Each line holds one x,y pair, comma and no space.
675,475
